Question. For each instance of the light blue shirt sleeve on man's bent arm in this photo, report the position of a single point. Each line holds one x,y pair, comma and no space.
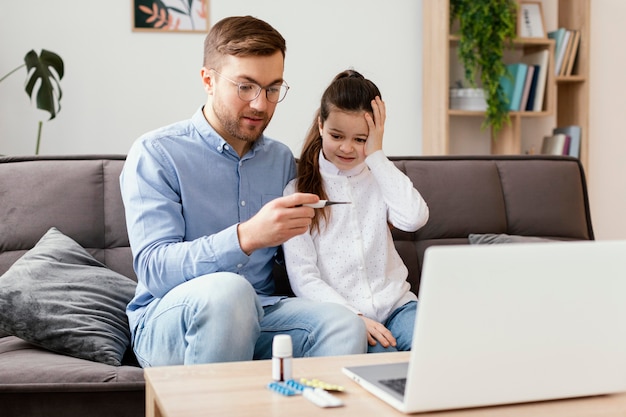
156,226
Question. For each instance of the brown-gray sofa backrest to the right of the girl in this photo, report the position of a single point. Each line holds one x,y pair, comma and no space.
528,195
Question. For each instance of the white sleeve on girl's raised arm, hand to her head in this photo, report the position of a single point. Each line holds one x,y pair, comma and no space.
407,210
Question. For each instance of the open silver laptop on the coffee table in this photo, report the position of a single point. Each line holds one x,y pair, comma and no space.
512,323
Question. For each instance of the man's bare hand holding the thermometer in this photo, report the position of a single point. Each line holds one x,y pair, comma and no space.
276,222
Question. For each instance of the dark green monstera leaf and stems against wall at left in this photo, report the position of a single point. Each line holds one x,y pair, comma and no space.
39,74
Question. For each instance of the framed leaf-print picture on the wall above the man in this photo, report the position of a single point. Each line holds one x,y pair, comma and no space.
170,15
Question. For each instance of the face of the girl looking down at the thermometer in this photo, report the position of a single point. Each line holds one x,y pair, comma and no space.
343,138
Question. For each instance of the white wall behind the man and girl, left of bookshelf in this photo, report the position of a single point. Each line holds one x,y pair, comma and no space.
119,84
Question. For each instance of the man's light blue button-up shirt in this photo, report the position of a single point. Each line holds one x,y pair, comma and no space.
185,190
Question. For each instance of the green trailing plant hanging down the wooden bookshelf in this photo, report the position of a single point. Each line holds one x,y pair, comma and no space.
487,28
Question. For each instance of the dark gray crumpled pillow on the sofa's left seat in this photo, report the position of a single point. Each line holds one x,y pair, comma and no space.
57,296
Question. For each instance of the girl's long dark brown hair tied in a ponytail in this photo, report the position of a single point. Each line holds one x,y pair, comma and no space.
350,92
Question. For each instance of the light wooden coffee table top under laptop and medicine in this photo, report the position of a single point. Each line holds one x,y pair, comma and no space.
240,389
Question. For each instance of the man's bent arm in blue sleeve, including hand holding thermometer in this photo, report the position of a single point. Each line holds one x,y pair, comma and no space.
164,253
